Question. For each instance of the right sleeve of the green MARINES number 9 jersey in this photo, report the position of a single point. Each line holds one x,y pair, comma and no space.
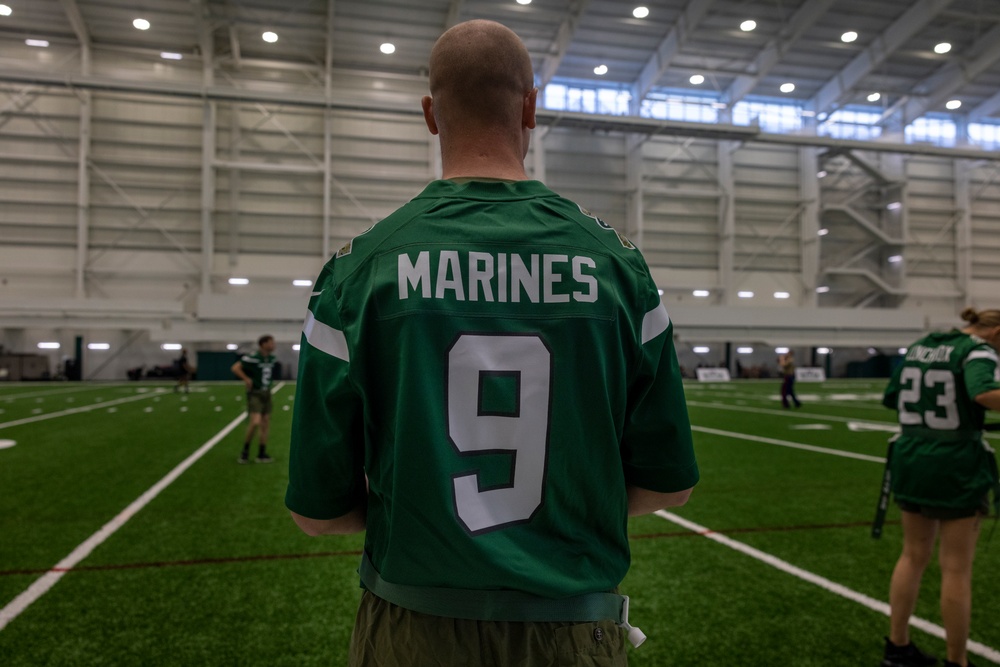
657,448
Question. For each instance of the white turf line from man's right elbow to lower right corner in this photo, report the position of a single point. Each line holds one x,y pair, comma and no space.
871,603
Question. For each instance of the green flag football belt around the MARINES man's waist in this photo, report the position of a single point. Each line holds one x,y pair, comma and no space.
495,605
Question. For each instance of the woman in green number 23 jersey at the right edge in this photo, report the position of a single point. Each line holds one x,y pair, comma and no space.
941,471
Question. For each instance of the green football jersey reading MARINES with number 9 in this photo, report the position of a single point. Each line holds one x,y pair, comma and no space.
498,363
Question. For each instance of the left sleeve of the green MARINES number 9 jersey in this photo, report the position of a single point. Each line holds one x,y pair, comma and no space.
326,463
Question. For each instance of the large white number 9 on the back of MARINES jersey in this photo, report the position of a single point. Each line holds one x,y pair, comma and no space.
523,431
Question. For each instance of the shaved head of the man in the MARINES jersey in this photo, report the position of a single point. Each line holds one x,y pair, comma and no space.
480,72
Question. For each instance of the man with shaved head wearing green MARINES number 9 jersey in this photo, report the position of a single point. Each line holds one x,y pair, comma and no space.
488,387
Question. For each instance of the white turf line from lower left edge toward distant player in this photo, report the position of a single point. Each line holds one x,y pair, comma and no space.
42,585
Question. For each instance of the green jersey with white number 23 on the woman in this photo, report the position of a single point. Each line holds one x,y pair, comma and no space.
940,458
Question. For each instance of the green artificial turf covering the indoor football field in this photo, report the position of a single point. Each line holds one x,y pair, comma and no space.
213,571
